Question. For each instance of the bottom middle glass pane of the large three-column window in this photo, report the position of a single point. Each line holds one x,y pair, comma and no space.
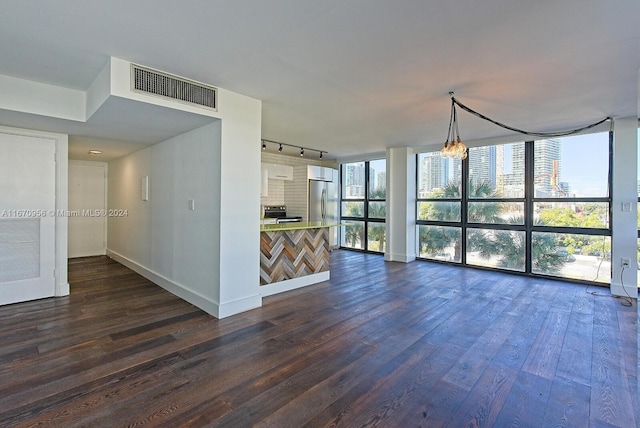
504,249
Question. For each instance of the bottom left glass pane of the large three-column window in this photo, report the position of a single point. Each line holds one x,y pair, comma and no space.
440,243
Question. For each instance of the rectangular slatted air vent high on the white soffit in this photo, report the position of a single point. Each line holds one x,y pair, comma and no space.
148,81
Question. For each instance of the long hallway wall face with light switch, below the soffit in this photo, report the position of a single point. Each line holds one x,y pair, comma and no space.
171,244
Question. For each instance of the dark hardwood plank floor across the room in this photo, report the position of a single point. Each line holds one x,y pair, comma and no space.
381,344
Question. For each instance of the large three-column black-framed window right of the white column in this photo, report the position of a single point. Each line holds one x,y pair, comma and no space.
537,207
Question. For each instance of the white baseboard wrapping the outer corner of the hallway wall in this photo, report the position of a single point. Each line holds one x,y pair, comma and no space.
206,304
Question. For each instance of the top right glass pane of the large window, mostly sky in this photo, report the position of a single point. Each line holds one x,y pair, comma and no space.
572,166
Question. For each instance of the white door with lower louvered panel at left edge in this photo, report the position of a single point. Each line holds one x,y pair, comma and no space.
27,218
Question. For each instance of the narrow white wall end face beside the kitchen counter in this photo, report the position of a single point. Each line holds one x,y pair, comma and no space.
238,203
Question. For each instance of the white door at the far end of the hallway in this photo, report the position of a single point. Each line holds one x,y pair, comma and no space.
87,208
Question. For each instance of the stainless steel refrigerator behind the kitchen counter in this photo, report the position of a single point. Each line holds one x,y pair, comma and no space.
323,206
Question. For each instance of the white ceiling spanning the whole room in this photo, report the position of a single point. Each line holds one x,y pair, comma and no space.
350,77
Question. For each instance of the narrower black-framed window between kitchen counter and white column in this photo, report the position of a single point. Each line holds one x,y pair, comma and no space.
363,205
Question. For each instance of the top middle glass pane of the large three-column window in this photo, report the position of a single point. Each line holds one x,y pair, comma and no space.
496,171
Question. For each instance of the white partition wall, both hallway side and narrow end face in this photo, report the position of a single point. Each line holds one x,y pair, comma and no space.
210,256
